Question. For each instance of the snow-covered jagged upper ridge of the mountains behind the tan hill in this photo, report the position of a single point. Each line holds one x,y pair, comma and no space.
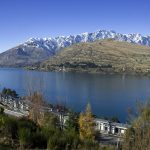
55,44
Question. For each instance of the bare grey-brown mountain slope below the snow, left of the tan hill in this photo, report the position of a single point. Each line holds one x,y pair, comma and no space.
22,56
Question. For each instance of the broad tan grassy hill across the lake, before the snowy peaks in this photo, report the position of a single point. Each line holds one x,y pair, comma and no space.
103,56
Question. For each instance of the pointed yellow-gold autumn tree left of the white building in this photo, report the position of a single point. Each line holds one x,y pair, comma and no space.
86,124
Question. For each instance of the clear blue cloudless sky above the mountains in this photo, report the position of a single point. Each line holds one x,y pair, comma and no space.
22,19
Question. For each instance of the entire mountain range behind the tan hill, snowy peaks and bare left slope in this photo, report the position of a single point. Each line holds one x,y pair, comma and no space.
36,50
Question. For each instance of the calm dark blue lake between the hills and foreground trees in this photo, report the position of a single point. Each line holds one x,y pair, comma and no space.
109,95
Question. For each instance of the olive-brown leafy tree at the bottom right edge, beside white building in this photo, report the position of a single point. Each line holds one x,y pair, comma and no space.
138,135
